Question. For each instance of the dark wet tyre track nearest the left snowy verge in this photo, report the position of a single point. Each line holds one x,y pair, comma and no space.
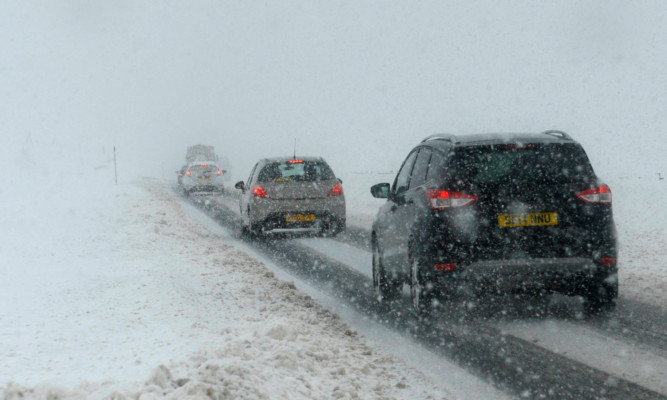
511,363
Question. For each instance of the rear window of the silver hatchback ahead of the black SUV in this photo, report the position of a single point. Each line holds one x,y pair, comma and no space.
304,171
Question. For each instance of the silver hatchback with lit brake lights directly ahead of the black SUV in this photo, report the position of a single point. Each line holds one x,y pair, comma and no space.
292,195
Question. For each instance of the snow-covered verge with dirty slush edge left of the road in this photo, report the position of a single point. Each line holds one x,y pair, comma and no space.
142,302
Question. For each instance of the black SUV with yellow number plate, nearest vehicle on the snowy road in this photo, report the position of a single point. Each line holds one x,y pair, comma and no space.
501,213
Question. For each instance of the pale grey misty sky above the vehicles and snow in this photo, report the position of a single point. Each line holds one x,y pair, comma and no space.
358,83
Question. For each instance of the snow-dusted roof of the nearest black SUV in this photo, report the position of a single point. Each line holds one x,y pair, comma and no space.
448,140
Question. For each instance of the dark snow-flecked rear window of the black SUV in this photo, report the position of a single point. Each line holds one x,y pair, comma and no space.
521,164
